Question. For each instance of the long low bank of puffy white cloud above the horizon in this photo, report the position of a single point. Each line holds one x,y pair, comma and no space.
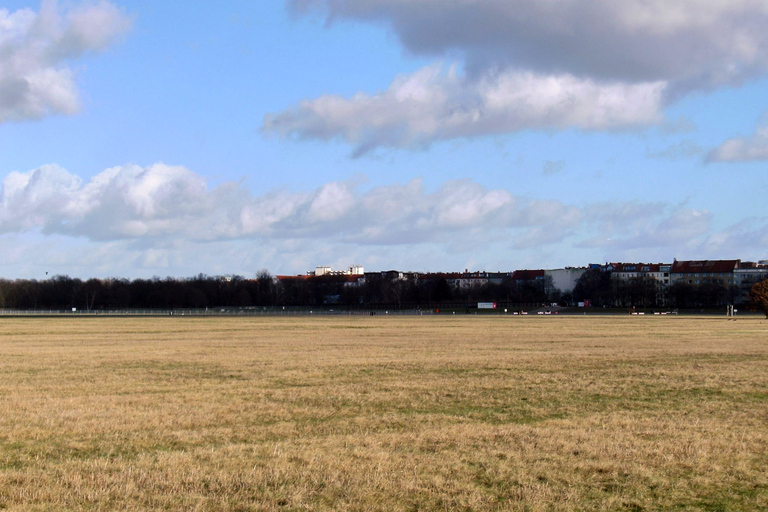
161,206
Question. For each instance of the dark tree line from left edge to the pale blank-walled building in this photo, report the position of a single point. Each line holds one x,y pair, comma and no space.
202,291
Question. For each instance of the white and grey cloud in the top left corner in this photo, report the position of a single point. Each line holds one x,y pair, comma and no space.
35,48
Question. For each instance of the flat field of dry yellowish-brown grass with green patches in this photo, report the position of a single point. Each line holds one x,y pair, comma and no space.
392,414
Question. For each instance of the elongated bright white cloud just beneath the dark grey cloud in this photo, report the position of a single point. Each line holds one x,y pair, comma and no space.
432,105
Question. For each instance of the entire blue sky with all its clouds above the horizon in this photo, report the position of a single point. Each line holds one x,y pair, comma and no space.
143,138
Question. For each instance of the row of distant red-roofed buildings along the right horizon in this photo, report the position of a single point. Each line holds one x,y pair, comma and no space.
681,283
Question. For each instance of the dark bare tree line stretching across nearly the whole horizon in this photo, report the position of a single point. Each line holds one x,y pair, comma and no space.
378,290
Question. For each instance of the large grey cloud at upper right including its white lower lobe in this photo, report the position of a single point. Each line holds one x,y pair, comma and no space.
554,64
